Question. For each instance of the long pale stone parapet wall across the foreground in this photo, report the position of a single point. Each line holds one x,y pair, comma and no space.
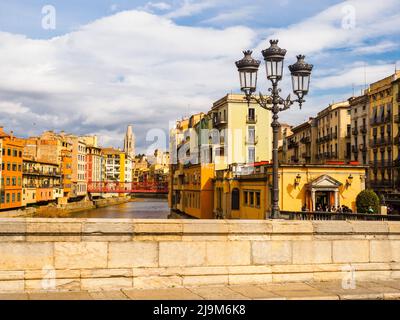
95,254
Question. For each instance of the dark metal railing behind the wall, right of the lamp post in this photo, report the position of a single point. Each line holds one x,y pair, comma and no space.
291,215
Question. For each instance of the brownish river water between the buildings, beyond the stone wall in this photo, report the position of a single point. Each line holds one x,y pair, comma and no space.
139,209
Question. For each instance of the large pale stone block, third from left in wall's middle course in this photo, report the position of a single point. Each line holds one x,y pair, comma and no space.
132,254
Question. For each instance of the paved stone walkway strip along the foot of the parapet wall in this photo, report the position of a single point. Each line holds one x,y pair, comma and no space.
274,291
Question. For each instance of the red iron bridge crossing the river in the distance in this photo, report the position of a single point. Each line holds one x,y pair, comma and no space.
127,187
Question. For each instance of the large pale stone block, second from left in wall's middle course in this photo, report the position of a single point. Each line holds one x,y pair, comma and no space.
80,255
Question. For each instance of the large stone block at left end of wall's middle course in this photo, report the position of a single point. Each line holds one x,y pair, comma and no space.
25,256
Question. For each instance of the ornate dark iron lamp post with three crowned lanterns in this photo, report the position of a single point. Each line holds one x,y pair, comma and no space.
300,72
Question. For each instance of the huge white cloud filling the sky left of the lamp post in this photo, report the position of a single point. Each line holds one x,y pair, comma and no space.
132,67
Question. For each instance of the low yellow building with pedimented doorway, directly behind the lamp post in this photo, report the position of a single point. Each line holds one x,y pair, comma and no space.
245,193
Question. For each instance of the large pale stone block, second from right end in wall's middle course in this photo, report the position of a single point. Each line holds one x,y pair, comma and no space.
350,251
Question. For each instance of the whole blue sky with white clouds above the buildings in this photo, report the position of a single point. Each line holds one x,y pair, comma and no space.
106,63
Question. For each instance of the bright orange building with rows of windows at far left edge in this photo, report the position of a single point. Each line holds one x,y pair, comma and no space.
11,167
